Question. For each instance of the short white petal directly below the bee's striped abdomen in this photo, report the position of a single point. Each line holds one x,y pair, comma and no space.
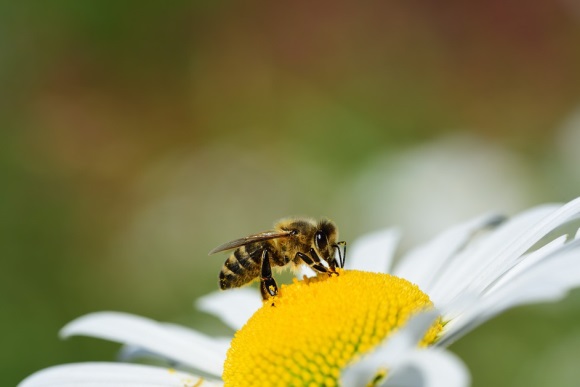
234,307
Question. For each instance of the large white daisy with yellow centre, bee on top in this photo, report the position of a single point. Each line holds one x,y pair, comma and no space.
379,322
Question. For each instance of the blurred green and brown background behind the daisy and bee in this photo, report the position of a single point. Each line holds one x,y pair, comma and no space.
136,136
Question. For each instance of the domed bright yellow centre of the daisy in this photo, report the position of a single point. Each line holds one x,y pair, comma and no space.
315,327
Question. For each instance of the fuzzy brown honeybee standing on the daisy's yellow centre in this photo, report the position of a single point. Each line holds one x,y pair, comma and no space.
294,241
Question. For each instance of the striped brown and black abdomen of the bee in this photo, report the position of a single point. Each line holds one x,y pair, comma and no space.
241,267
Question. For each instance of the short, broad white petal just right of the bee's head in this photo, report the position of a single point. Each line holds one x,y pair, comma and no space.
373,252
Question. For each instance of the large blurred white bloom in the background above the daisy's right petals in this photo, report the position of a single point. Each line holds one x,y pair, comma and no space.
435,185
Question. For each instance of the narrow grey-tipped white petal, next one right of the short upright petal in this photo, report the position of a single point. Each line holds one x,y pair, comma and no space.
422,265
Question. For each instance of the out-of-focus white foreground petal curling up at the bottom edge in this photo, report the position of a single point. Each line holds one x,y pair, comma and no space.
431,367
